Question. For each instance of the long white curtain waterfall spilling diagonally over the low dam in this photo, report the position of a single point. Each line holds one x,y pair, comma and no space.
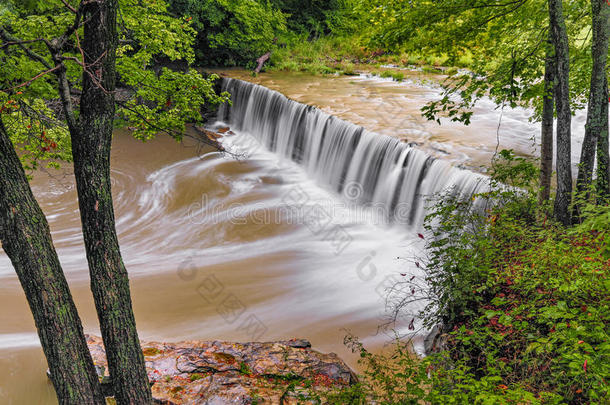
372,169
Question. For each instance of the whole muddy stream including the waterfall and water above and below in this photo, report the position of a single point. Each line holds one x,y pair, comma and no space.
300,234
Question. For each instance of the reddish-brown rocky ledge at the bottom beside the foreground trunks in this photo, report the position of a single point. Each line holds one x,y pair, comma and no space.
215,373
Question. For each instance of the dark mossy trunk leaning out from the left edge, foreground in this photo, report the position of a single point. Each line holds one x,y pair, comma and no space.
26,239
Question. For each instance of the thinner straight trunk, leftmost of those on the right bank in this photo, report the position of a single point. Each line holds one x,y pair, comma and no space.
546,142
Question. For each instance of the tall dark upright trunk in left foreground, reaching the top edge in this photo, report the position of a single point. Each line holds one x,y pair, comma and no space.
91,151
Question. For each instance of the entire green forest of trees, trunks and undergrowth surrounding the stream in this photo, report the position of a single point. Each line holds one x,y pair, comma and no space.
519,291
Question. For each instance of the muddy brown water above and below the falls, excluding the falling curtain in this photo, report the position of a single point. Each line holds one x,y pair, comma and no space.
214,252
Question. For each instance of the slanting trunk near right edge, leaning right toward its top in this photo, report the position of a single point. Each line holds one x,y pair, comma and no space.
596,121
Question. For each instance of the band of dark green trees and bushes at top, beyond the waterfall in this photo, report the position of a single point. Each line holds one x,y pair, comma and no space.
235,33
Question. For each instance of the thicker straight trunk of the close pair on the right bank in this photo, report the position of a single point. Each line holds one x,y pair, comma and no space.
564,115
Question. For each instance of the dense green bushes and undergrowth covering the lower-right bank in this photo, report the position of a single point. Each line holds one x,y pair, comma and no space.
524,302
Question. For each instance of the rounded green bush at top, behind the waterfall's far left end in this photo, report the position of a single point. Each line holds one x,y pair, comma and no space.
232,33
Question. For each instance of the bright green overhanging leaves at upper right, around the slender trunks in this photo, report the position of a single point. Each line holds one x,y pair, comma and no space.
506,43
